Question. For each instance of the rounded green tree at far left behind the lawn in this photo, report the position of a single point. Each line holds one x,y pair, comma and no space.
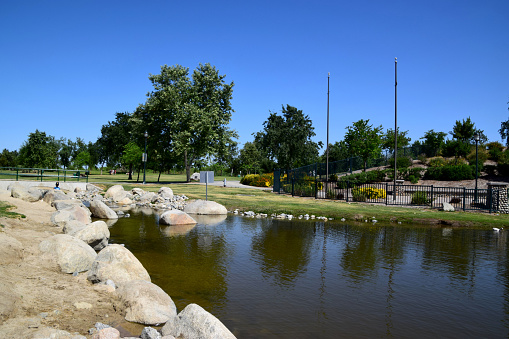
39,151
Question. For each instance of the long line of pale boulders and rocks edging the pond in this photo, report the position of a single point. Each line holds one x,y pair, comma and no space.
83,247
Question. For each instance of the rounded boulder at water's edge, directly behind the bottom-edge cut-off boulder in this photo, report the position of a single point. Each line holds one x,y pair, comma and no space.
146,303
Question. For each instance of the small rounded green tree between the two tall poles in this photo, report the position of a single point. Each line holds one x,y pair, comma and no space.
364,140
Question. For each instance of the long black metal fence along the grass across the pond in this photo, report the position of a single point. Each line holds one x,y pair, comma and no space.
388,194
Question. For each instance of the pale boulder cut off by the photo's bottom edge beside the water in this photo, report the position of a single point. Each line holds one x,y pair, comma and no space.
195,322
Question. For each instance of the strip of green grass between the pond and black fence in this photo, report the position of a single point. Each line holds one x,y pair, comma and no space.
267,202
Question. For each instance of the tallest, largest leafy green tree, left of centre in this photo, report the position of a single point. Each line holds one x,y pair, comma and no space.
190,116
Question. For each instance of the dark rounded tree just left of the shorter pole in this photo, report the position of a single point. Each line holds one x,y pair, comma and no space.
286,138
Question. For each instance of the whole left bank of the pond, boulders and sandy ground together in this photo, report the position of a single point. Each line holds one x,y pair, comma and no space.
79,257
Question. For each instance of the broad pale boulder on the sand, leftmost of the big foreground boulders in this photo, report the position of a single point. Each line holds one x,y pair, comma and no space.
71,254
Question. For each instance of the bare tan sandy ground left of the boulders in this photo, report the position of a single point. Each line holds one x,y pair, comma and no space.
43,296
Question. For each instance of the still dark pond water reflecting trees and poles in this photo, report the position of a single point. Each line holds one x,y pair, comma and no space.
266,278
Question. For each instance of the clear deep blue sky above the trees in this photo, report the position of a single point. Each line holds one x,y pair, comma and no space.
66,67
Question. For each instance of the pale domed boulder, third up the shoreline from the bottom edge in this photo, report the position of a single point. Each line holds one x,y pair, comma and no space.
117,263
